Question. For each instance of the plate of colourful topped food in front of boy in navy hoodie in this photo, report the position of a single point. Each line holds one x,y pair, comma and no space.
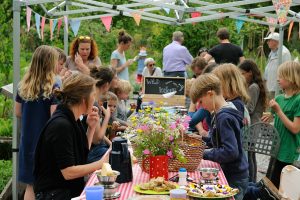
210,191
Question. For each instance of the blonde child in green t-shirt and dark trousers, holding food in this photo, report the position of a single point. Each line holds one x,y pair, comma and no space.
286,110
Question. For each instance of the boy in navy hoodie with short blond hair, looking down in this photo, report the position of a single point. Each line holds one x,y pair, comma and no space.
226,132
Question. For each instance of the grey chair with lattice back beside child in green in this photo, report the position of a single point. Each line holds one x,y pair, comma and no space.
262,138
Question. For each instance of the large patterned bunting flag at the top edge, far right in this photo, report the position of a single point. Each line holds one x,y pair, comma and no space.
281,8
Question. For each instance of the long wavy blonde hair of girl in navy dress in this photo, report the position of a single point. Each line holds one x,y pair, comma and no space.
39,78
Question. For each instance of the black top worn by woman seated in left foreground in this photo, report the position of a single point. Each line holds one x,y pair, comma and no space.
63,143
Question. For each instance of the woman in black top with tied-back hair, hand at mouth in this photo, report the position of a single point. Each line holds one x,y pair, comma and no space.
61,153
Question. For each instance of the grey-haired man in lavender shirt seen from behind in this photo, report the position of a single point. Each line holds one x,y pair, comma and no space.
176,57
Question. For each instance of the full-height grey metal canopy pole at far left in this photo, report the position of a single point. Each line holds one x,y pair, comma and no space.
16,79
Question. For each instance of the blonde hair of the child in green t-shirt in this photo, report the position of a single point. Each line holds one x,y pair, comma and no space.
290,71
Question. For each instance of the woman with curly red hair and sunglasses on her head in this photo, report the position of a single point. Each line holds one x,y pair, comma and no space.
83,55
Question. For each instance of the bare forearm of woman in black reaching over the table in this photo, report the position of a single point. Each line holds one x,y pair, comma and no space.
78,171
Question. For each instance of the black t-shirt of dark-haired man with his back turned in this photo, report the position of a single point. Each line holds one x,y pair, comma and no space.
226,53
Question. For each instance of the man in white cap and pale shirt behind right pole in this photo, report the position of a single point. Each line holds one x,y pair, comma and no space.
270,74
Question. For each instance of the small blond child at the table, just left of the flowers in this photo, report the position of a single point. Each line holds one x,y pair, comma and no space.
122,91
